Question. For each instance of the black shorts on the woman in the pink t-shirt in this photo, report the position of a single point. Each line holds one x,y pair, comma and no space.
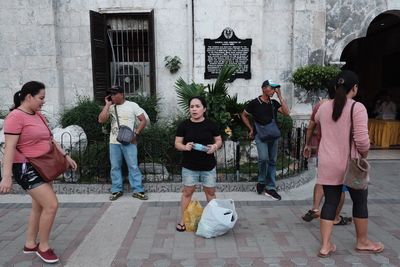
26,176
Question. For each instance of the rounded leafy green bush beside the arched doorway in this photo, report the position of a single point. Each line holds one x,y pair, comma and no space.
314,78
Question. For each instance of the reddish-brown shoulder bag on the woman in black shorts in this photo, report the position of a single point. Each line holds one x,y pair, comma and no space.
51,164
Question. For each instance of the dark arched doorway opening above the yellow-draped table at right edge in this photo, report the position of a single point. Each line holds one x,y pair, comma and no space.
376,59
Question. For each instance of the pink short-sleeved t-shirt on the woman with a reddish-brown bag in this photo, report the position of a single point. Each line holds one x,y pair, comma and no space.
33,134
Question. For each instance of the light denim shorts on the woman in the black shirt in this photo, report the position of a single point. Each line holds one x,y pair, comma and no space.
191,178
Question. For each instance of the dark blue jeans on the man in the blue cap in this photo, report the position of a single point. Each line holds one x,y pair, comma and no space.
267,155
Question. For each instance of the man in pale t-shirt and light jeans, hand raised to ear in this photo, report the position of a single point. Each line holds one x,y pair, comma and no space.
127,112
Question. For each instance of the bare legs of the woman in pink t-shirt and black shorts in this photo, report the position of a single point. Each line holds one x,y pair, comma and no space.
41,219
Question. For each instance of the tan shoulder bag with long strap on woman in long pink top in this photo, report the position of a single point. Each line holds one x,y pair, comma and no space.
357,171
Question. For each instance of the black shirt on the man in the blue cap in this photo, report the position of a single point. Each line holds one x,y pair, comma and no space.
262,111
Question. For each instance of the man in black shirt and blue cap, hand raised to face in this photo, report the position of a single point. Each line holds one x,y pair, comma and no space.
264,111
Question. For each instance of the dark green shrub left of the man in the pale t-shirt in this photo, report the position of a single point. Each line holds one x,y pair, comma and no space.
85,114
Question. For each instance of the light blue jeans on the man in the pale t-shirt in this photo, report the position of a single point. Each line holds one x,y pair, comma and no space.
129,152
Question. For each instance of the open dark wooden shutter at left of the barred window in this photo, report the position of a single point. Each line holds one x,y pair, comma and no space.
100,64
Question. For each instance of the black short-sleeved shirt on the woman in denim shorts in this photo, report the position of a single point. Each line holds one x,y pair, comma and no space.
198,132
